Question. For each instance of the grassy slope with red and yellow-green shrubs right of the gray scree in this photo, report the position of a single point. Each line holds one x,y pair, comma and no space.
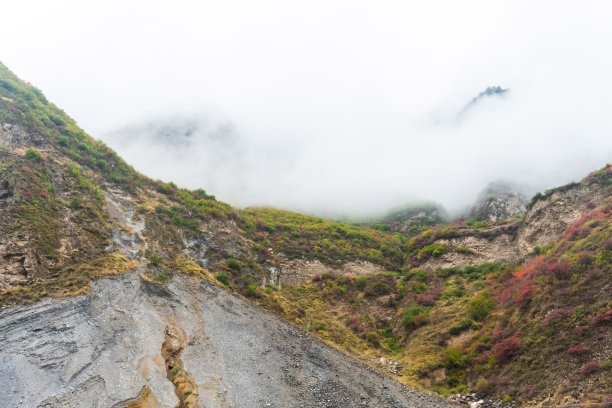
519,332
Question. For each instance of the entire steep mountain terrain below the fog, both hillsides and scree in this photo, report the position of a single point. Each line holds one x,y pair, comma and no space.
516,310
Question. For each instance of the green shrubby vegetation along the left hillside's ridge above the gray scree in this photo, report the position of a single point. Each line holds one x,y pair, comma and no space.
76,163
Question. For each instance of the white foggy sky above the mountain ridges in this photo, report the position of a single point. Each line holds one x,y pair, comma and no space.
345,106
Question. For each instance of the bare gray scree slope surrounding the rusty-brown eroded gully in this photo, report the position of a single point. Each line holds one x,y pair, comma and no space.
104,350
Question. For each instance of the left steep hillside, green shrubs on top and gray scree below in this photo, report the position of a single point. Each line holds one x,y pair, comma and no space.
74,215
